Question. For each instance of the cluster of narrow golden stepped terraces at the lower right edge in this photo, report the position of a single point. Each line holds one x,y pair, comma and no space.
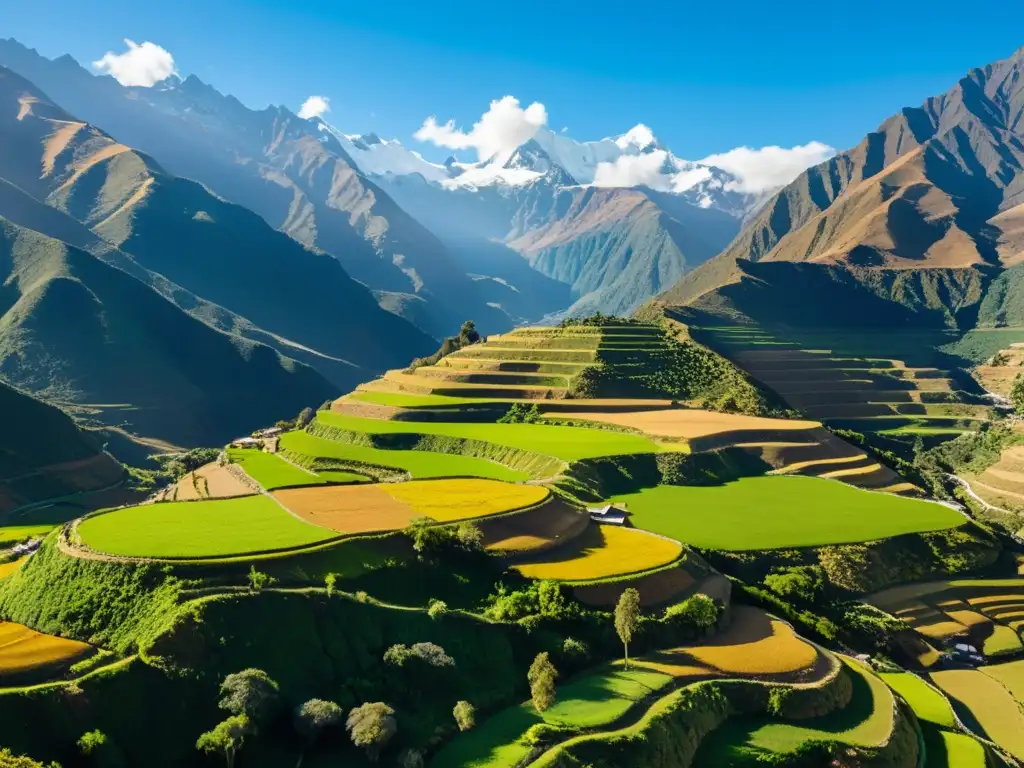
990,614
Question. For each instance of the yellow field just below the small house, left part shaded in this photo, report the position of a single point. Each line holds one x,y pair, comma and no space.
604,551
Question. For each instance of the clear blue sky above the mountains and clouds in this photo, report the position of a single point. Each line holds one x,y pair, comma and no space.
705,77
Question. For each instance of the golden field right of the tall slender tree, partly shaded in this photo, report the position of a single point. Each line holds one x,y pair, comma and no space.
755,645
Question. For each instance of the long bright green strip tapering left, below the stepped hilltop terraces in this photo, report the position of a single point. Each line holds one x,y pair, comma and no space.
568,444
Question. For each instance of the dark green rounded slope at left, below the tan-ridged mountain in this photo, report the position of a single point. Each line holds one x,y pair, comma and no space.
80,332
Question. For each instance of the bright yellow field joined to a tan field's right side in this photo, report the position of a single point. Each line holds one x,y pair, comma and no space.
459,499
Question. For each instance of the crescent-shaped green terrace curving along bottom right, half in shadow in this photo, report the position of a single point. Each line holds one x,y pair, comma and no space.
866,721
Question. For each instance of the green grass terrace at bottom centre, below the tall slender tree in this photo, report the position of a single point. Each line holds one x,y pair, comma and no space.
589,702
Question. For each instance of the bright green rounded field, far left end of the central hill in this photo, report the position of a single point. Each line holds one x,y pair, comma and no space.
208,529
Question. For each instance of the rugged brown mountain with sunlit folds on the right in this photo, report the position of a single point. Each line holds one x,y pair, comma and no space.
935,188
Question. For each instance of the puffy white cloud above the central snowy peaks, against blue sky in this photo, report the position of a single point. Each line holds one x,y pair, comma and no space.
500,131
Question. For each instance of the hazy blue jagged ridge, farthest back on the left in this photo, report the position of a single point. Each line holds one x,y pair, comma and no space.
297,178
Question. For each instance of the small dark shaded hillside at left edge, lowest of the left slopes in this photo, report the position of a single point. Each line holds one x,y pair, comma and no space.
44,455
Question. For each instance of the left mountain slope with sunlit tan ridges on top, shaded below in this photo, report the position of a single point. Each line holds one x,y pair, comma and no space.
249,276
